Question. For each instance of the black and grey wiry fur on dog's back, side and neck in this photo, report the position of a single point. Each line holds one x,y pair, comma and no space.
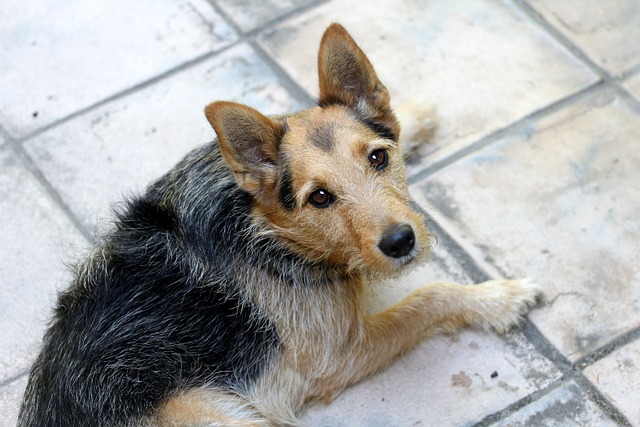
158,308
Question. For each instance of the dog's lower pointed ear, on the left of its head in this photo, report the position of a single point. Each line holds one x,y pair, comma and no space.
249,143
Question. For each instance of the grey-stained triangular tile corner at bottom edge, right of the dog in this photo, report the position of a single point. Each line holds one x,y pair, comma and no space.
567,406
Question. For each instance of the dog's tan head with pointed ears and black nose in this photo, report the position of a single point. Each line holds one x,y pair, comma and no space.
329,181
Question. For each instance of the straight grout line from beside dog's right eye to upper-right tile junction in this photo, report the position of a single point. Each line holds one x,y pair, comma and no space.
510,129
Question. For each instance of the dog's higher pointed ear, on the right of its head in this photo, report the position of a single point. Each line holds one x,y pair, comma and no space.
347,78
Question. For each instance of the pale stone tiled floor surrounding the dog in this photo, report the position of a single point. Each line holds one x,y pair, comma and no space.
534,171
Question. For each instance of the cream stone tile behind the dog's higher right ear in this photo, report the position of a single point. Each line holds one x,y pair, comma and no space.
483,64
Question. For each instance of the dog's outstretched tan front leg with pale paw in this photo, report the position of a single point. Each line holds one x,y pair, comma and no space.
494,305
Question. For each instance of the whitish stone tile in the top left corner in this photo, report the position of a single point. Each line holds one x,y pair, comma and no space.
67,56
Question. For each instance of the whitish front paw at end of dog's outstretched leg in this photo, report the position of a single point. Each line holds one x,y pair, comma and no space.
503,303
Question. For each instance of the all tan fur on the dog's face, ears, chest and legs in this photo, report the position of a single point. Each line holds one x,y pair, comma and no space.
328,341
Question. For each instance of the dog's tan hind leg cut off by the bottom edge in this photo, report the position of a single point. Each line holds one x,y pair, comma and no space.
208,407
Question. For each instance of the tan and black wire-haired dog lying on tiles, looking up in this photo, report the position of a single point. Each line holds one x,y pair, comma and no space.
231,292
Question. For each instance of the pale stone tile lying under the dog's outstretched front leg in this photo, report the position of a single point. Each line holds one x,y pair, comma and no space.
448,370
